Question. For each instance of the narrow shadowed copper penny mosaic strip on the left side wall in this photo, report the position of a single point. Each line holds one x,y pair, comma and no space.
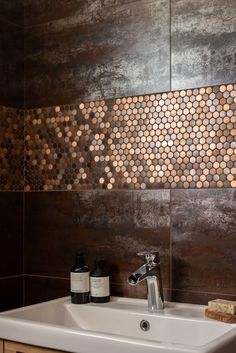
11,149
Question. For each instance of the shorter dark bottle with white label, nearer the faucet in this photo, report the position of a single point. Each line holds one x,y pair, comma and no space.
100,283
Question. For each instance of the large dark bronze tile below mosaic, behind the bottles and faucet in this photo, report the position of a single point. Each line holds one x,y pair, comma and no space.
112,224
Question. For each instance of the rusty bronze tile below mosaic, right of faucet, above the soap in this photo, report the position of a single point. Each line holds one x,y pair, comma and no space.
203,228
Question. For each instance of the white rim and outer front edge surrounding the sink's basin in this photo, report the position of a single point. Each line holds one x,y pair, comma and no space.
55,332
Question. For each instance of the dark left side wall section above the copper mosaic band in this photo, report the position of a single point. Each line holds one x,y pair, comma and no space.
12,54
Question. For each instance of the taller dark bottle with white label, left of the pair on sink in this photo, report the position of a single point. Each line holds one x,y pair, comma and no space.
79,281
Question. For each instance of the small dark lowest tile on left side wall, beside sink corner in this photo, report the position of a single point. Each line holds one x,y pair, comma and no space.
11,293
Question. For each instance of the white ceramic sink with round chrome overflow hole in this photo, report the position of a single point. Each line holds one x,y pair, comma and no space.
115,326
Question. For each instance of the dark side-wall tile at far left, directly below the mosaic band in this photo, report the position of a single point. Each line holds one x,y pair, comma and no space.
11,230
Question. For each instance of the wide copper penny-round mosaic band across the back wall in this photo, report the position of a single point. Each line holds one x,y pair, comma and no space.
178,139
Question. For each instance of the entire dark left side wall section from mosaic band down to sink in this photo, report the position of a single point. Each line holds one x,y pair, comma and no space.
11,250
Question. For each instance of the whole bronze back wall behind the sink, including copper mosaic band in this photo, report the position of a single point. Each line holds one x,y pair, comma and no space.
145,170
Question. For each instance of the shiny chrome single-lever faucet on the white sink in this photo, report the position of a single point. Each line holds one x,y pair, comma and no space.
152,273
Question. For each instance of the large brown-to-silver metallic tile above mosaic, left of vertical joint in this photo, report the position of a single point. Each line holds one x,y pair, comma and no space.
117,51
